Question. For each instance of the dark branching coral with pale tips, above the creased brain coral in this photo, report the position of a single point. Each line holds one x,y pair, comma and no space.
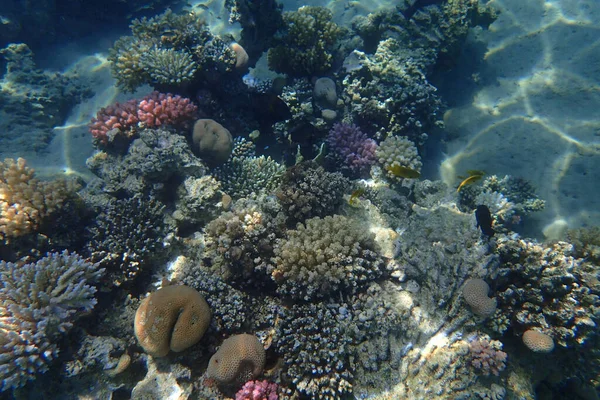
127,237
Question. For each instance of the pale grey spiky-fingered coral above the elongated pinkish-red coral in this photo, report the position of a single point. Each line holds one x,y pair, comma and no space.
168,66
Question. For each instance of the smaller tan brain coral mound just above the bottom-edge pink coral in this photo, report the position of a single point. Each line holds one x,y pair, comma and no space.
239,359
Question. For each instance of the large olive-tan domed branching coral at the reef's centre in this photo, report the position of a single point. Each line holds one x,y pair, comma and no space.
324,256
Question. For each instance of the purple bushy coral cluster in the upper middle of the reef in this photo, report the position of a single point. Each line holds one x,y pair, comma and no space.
353,147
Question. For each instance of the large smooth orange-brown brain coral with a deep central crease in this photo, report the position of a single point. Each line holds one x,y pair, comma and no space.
172,318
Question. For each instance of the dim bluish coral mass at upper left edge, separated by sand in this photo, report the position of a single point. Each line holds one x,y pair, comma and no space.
32,102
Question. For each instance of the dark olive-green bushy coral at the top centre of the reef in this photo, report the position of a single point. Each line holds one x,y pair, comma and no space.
307,43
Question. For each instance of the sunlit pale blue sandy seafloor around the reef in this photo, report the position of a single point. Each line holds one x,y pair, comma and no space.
532,111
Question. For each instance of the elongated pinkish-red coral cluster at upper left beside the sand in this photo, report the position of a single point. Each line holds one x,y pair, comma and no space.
156,109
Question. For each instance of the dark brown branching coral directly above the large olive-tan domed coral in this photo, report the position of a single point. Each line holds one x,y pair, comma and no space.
308,191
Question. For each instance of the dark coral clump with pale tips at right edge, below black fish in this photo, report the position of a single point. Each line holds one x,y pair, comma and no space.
545,287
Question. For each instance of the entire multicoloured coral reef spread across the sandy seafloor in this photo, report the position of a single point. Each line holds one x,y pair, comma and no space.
277,240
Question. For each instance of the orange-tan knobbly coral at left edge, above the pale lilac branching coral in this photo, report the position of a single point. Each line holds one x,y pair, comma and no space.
25,201
